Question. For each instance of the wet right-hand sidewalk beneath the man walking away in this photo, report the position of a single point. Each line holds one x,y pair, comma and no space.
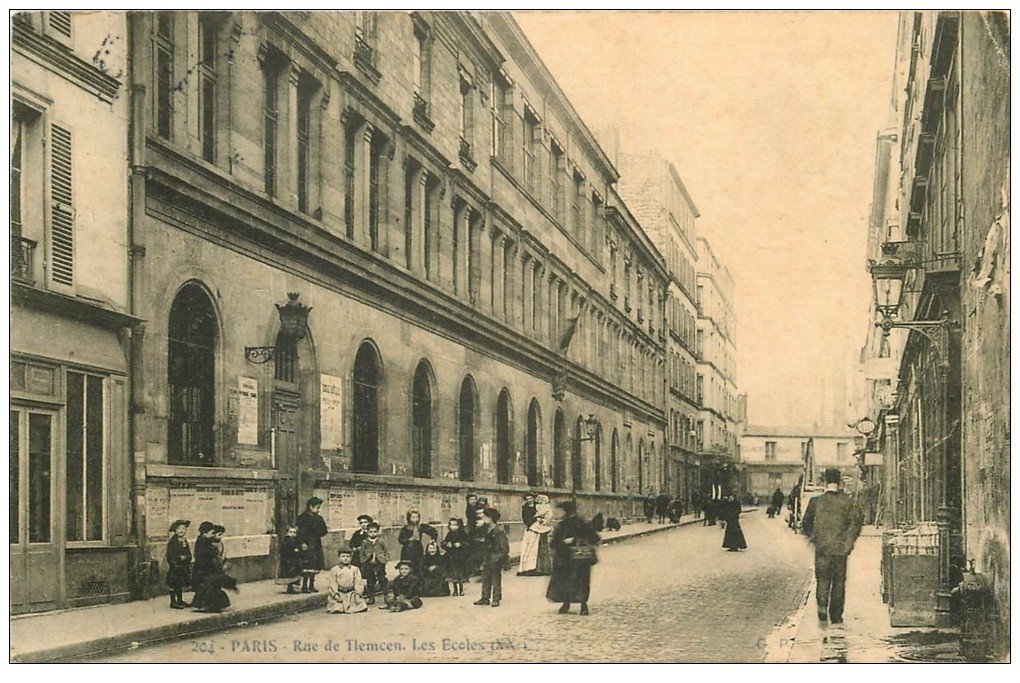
865,636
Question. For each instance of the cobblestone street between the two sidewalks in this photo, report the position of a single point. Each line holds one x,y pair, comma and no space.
672,597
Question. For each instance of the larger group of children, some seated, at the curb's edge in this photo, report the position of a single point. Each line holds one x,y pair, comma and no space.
428,567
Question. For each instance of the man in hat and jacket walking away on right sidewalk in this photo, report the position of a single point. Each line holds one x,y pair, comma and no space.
833,522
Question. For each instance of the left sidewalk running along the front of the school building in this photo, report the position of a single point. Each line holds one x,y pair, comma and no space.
63,636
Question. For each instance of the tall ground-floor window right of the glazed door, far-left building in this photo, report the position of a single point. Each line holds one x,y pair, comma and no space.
84,470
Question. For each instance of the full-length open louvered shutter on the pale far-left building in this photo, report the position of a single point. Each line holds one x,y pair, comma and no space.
63,207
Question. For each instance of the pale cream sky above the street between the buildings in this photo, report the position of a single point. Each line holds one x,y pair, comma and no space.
771,120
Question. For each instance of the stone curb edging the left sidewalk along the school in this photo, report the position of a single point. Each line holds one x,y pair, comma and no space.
208,623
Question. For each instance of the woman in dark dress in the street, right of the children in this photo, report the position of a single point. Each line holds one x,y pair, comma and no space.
574,547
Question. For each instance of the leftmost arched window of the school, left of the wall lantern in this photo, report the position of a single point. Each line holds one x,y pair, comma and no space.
191,374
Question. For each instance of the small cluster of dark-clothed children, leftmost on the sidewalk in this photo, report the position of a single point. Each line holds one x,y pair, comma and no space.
209,577
